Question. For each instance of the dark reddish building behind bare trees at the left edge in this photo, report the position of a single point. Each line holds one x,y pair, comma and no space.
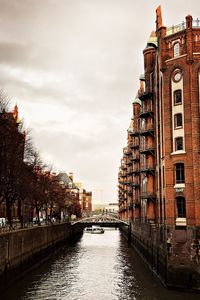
12,143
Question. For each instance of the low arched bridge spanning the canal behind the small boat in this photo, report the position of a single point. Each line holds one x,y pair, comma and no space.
104,220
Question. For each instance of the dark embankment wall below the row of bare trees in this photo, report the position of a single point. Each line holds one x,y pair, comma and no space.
24,249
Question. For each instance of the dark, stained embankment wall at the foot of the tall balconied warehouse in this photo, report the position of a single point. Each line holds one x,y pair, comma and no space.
170,271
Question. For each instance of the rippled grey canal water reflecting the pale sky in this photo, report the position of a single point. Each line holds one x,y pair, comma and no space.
96,267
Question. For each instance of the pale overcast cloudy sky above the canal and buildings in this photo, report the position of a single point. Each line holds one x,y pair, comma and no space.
72,66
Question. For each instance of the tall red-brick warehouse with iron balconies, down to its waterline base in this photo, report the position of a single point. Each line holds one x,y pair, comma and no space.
159,175
